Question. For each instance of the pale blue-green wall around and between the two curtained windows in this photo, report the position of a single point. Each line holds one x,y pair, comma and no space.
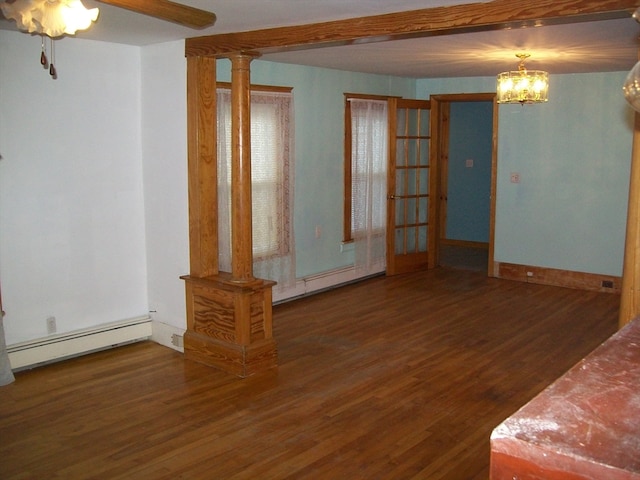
319,136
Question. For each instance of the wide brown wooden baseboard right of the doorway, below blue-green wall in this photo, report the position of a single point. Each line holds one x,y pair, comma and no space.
559,278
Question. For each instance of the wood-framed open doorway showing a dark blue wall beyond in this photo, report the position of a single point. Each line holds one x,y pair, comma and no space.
465,152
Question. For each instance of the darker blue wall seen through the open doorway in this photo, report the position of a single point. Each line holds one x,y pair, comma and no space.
469,187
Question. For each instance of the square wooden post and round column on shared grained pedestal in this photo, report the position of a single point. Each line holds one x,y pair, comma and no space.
229,314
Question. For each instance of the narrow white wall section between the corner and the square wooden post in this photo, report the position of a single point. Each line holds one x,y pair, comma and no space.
164,146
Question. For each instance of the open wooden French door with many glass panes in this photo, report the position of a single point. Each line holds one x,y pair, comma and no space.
410,240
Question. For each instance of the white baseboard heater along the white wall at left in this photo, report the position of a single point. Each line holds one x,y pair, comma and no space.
57,347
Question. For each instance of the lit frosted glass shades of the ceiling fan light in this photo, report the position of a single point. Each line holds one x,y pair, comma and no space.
52,18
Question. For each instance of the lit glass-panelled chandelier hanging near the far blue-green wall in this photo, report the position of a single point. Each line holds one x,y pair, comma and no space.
523,86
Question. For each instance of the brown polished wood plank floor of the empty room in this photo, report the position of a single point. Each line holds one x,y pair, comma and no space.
391,378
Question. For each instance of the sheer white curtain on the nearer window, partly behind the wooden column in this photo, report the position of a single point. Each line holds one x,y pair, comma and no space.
272,182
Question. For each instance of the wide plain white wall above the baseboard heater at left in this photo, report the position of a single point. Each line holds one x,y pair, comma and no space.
72,240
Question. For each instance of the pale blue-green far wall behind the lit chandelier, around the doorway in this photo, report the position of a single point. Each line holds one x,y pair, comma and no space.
573,155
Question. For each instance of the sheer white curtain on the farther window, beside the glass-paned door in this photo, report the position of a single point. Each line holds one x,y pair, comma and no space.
369,155
